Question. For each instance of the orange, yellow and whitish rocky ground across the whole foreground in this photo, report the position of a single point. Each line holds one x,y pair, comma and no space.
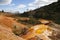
36,32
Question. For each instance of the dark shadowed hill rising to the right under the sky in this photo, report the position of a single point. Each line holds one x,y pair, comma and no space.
50,12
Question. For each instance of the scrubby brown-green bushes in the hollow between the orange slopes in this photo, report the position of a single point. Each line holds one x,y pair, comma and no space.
19,31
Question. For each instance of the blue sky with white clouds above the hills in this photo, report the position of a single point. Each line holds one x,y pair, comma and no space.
23,5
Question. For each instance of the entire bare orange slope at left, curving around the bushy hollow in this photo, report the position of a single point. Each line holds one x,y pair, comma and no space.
7,25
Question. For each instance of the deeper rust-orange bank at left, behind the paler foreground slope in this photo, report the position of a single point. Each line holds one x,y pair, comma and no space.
9,22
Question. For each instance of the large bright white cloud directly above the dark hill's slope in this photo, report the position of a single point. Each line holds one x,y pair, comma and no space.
40,3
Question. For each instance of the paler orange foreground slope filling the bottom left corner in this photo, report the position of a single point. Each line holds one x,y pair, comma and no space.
6,34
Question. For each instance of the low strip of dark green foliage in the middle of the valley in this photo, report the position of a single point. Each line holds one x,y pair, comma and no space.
31,21
